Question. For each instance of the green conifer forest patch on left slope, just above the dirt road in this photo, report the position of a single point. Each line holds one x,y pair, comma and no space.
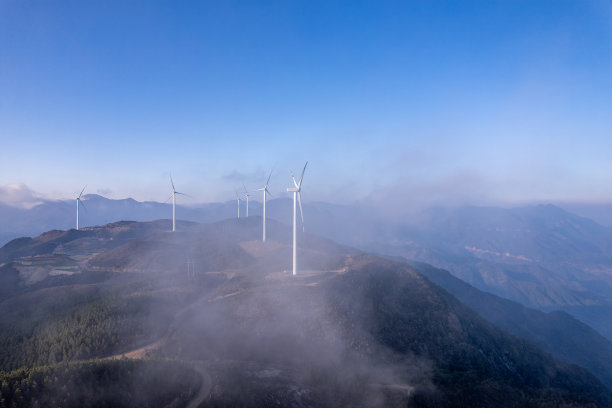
79,328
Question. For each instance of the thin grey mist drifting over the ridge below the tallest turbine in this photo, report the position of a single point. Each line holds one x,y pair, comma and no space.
243,321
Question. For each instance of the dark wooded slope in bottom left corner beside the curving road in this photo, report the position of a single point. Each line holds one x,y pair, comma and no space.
119,383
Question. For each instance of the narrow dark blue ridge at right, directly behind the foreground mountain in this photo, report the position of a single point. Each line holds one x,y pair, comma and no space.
557,333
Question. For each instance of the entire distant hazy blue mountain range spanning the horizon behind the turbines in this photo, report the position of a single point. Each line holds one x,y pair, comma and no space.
540,256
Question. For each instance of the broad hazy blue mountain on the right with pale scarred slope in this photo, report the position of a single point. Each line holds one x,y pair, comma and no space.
540,256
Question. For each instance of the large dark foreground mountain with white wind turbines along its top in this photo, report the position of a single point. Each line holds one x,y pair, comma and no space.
351,329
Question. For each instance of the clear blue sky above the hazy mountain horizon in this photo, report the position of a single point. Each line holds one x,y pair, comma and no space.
410,101
